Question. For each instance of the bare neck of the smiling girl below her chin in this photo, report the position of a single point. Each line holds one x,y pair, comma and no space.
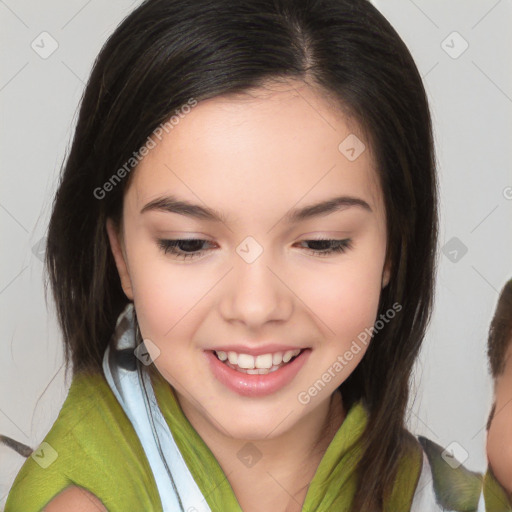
280,479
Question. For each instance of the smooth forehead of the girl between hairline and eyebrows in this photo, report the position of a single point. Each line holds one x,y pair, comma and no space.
271,146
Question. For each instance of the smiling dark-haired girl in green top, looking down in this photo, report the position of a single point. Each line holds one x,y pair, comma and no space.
241,252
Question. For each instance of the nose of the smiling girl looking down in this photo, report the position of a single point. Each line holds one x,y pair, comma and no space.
254,293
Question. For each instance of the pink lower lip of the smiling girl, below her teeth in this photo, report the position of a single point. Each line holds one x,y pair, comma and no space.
256,385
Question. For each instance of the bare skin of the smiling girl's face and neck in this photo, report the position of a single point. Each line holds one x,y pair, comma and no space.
254,158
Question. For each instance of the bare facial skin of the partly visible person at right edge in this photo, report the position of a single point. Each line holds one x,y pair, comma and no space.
499,435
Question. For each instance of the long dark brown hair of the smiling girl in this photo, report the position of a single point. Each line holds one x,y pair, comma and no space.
168,51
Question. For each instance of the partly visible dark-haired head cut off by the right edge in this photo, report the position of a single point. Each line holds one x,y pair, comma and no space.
499,425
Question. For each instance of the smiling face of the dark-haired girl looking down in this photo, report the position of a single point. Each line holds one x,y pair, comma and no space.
244,176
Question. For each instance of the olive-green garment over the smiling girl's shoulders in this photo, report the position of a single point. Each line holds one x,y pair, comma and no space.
92,444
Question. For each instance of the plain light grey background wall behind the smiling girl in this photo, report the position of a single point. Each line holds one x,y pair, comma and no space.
471,102
